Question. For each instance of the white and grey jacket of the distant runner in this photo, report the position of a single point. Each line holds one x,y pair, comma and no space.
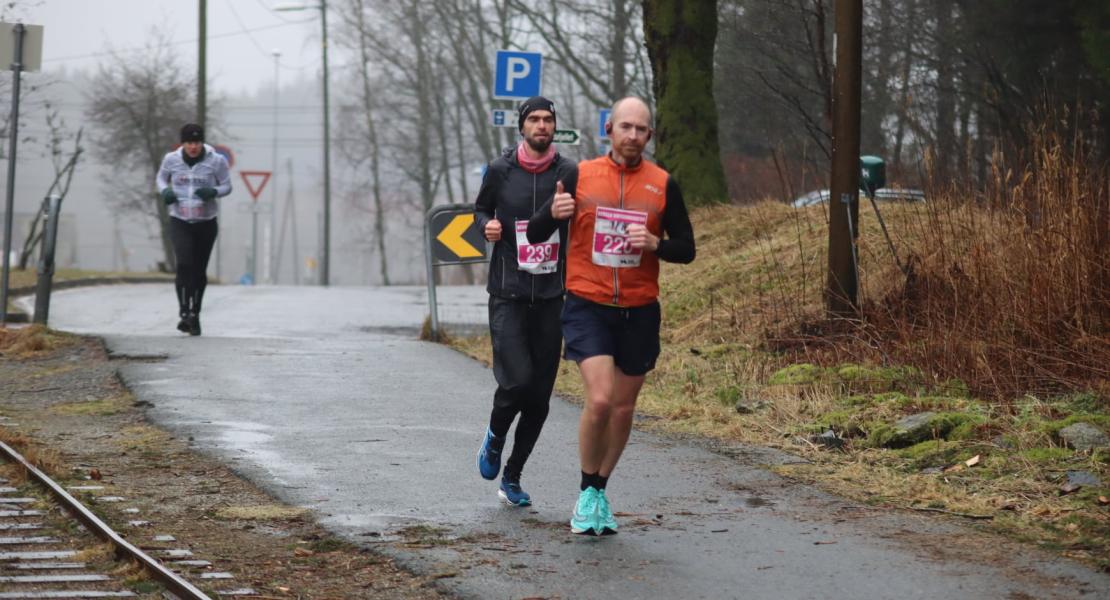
211,171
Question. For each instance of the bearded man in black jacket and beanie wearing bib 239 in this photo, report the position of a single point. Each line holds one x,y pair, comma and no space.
527,286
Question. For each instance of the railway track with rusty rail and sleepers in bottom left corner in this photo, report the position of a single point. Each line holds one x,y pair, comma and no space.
53,546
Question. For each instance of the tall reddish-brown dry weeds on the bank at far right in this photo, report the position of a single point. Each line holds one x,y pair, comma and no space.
1010,290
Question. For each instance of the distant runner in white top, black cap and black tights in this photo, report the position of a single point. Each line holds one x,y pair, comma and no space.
189,181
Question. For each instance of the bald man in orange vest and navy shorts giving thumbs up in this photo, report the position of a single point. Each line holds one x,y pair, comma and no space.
627,215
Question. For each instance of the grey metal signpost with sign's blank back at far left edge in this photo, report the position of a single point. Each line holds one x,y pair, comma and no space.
26,55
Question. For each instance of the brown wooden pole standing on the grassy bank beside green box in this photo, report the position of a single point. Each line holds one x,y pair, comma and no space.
842,290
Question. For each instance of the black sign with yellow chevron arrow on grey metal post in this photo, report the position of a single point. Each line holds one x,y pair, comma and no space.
451,238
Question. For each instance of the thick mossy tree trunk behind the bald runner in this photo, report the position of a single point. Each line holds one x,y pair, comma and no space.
680,36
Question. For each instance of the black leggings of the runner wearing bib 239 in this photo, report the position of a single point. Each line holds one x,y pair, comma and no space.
527,342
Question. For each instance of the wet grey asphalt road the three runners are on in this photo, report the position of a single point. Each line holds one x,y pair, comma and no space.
326,399
